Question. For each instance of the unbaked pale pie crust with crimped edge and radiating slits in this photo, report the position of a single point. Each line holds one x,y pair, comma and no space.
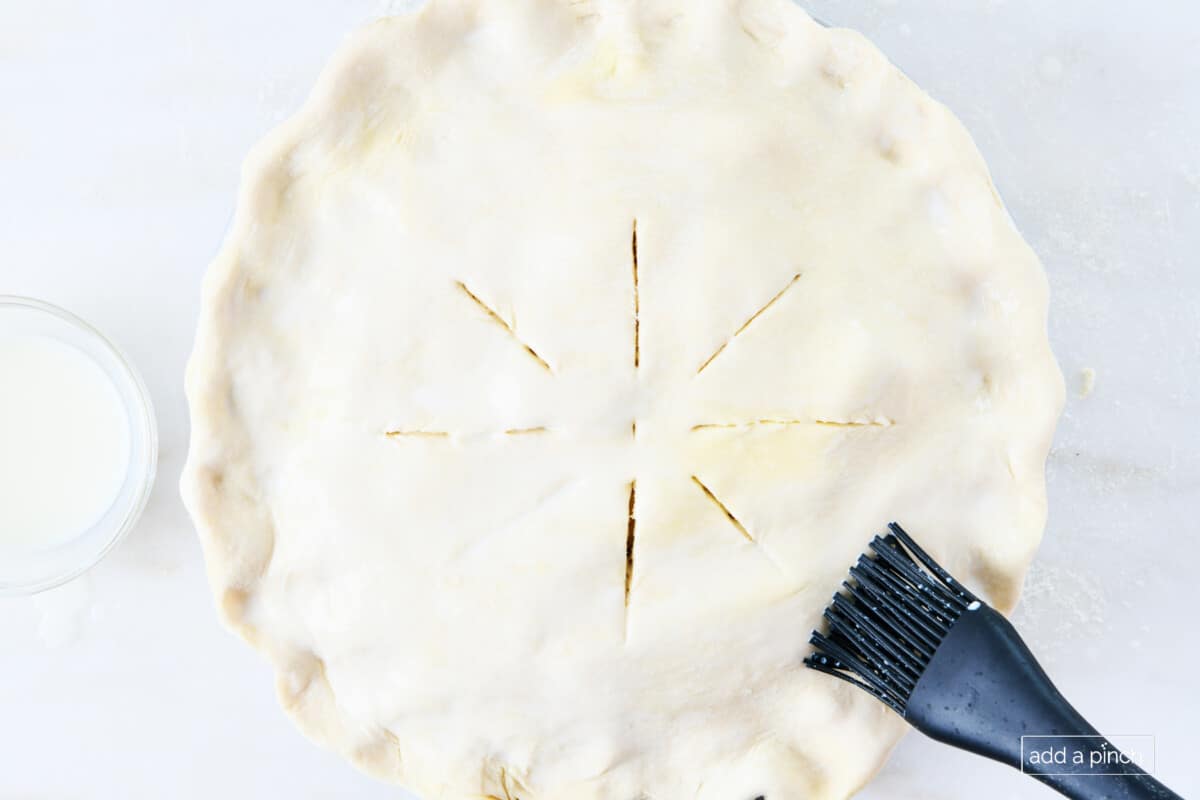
563,357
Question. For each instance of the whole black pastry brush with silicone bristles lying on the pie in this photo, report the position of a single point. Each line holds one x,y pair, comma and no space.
910,635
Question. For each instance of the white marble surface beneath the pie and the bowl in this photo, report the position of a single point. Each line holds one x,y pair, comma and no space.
122,128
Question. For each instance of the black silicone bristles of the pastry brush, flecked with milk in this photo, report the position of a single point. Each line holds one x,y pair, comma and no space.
887,624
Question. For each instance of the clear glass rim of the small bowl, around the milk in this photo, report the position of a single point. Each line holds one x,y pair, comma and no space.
45,569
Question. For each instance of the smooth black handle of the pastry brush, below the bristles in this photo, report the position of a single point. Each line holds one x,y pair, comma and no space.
983,690
